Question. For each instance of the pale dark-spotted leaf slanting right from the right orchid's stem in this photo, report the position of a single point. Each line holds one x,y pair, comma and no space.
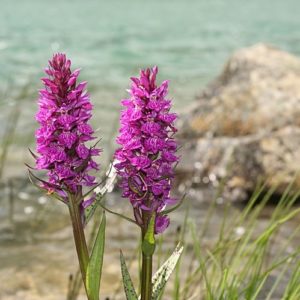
161,277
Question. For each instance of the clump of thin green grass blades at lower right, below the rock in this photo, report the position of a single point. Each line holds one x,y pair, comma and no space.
243,258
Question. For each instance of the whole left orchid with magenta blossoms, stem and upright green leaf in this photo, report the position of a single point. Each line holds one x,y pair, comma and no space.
64,114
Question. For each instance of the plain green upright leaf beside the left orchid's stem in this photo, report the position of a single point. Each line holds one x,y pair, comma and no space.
94,269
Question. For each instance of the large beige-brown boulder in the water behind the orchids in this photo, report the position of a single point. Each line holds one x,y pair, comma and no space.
246,124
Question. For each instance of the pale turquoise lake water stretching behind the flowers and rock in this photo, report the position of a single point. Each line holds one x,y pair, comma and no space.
110,40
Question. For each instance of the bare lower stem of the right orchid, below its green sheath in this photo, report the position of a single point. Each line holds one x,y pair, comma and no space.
146,286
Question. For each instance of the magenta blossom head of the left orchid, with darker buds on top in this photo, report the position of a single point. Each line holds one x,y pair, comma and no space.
64,113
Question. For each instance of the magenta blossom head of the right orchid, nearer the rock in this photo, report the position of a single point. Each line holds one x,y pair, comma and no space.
147,156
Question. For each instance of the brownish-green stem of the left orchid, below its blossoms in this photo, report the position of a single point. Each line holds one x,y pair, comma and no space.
79,237
